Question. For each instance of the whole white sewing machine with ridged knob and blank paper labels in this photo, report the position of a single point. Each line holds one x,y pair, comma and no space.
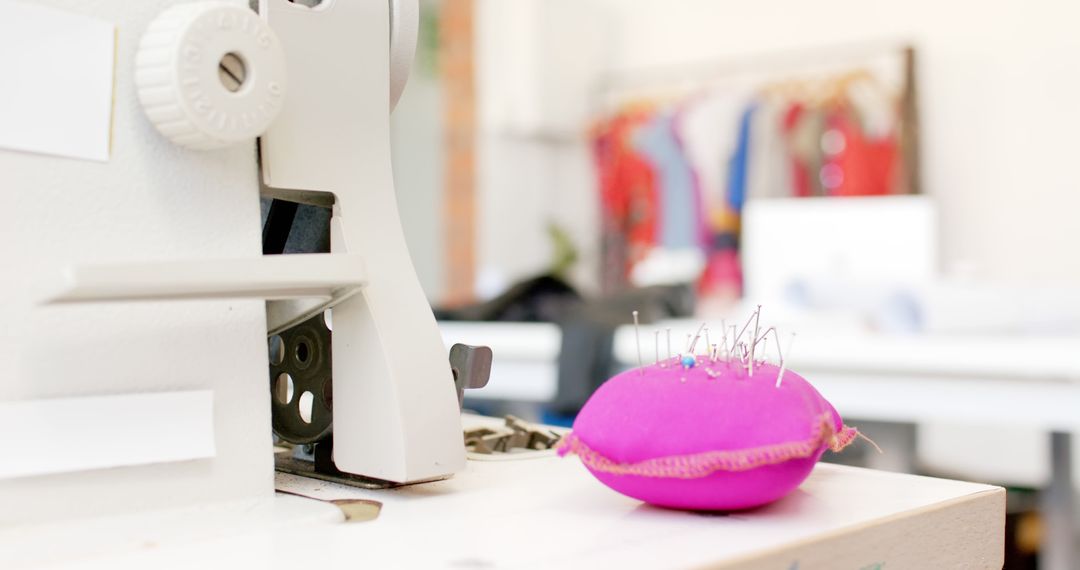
174,400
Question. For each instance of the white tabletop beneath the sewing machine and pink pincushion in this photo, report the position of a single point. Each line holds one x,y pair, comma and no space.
535,513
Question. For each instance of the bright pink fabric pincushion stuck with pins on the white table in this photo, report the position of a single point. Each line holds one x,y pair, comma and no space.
706,438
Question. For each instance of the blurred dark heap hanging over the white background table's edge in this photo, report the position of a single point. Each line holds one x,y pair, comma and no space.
586,357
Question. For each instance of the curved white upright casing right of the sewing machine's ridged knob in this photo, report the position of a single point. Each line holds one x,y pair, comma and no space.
396,408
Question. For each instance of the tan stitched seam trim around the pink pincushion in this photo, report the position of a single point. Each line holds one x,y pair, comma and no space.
696,466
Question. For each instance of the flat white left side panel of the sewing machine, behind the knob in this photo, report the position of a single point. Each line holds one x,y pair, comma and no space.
153,200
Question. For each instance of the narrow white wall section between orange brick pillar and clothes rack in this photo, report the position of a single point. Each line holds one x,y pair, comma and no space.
536,64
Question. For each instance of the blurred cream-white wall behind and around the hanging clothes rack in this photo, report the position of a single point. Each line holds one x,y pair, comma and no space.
1000,84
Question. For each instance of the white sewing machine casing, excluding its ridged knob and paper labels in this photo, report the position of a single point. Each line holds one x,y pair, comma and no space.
171,237
